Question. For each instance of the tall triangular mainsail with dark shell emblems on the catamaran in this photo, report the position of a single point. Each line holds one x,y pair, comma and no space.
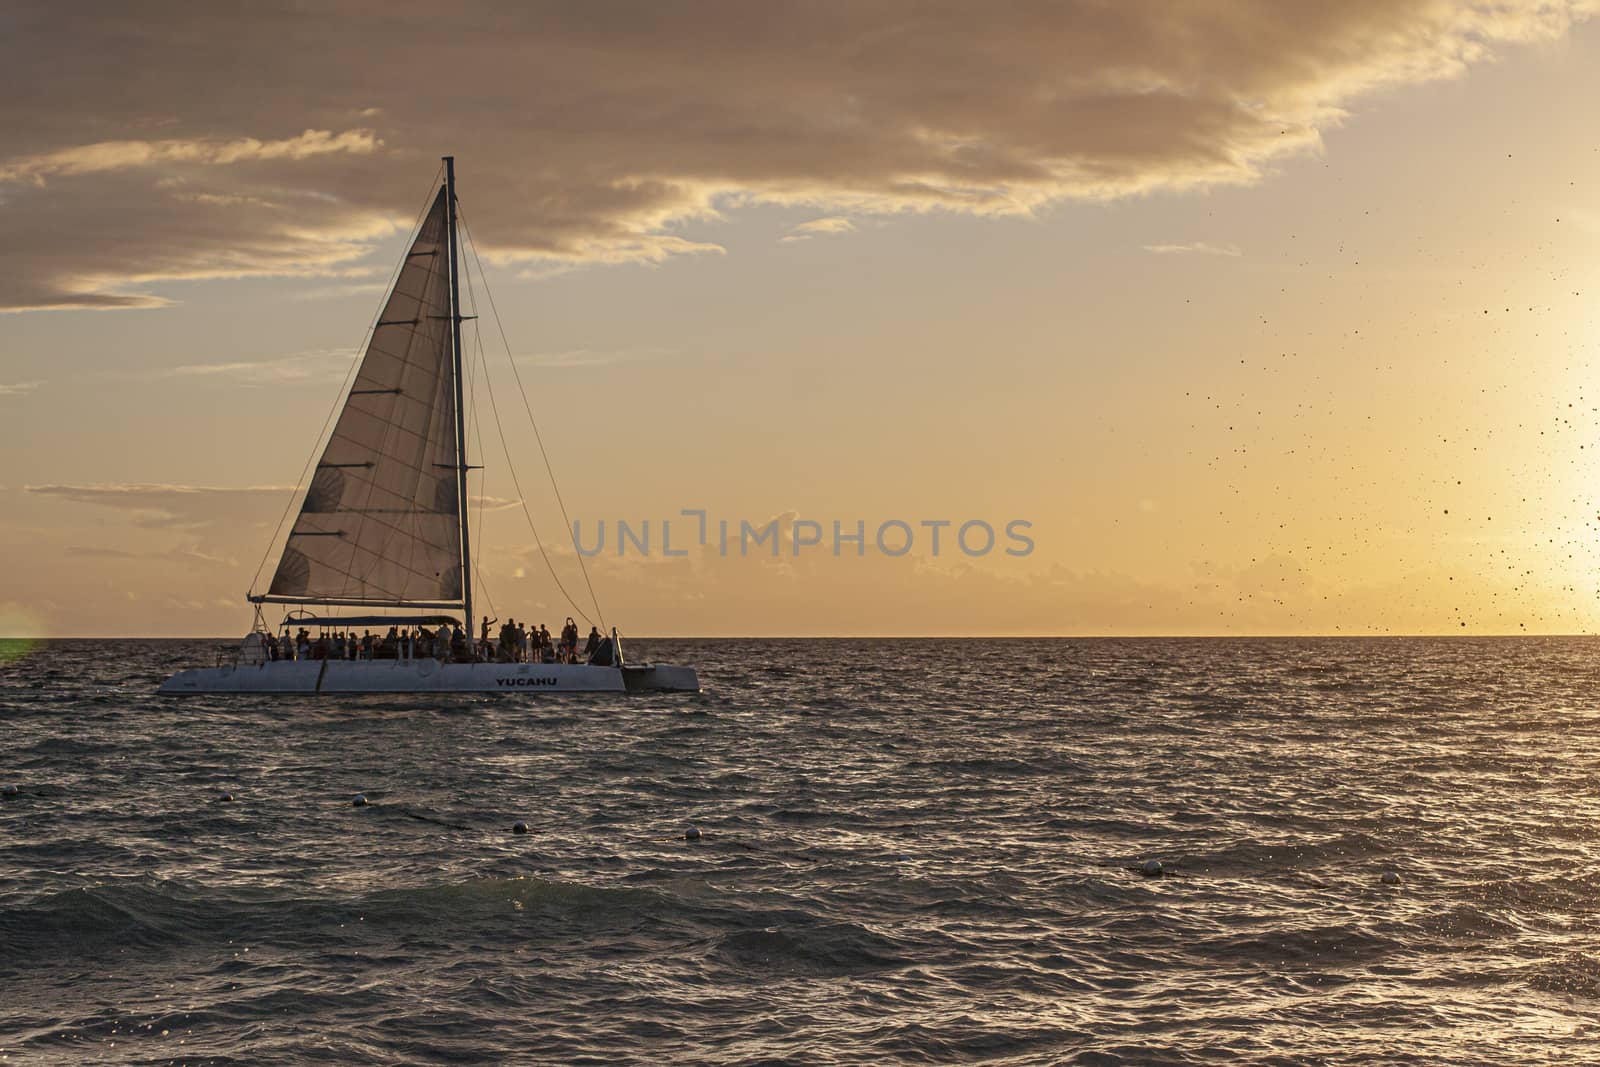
382,521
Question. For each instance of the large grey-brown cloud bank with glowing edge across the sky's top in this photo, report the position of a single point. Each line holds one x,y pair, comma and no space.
609,132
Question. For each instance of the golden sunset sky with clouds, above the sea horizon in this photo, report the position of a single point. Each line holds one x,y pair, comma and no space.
1270,318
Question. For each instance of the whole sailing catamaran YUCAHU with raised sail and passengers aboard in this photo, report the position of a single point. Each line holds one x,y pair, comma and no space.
383,530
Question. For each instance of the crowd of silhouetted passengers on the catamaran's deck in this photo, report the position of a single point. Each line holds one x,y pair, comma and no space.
514,644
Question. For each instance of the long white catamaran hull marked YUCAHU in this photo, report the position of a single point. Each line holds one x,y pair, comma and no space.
426,676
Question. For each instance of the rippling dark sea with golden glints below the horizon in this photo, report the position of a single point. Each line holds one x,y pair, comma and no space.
913,852
